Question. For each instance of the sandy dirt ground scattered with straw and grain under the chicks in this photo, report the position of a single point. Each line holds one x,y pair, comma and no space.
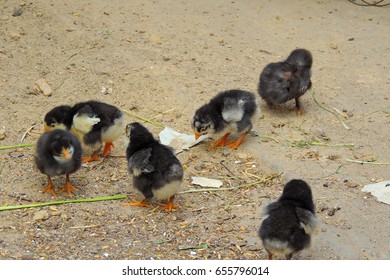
161,60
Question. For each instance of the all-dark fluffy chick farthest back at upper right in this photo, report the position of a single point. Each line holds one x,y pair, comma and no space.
286,80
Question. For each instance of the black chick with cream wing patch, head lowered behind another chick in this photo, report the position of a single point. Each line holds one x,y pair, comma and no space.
93,122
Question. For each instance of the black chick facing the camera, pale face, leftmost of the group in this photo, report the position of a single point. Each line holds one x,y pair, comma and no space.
58,152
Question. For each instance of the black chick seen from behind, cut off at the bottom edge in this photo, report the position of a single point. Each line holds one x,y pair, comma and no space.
289,223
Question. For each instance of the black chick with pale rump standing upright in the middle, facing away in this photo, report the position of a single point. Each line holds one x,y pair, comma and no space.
156,170
